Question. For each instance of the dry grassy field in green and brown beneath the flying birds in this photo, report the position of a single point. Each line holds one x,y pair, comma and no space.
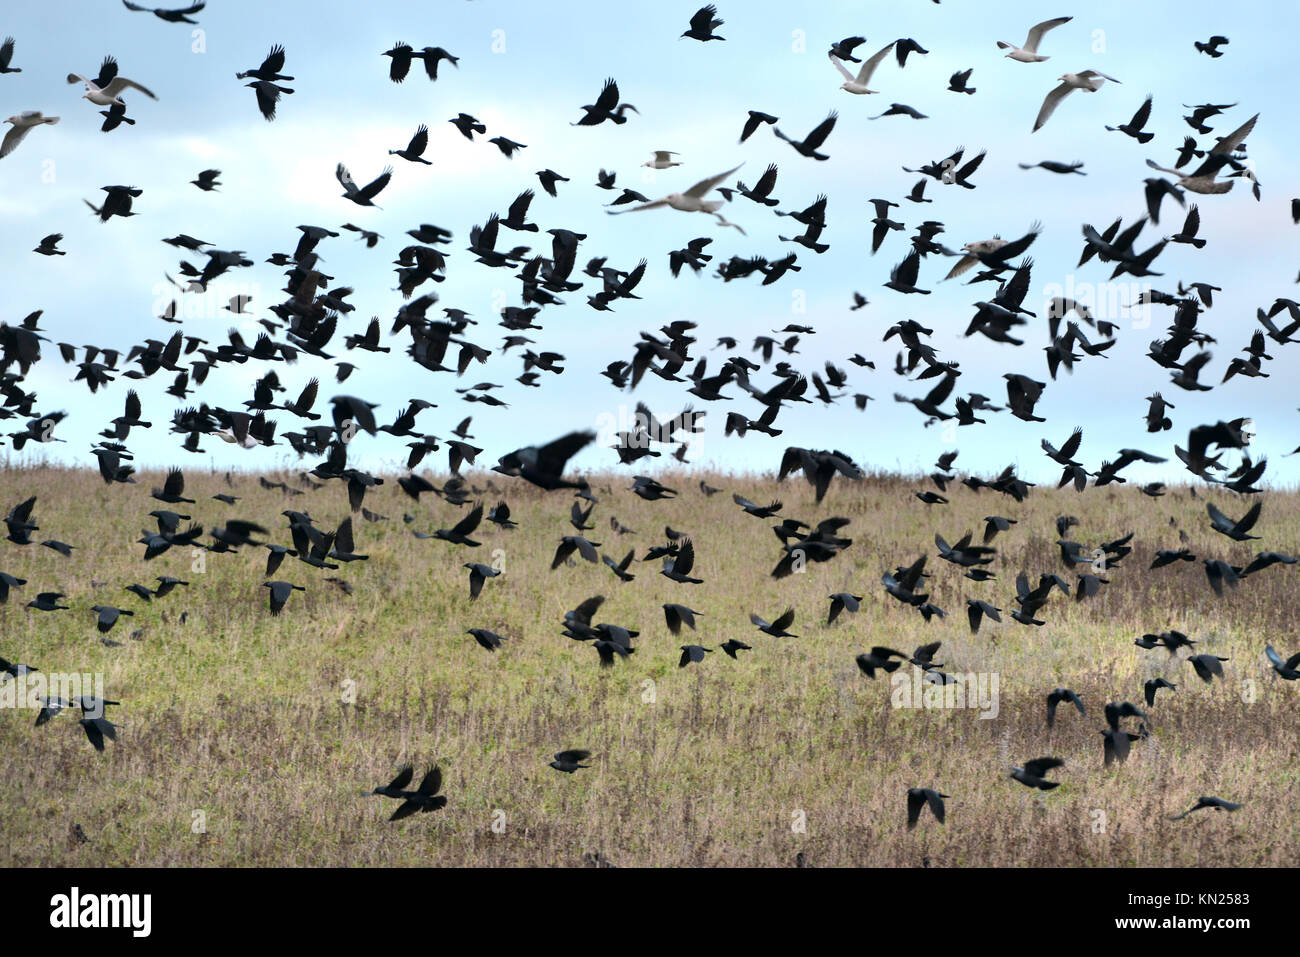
249,741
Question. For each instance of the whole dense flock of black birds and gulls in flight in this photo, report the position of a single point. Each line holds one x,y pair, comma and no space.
307,324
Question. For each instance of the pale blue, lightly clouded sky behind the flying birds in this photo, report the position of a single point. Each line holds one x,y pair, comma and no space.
525,71
